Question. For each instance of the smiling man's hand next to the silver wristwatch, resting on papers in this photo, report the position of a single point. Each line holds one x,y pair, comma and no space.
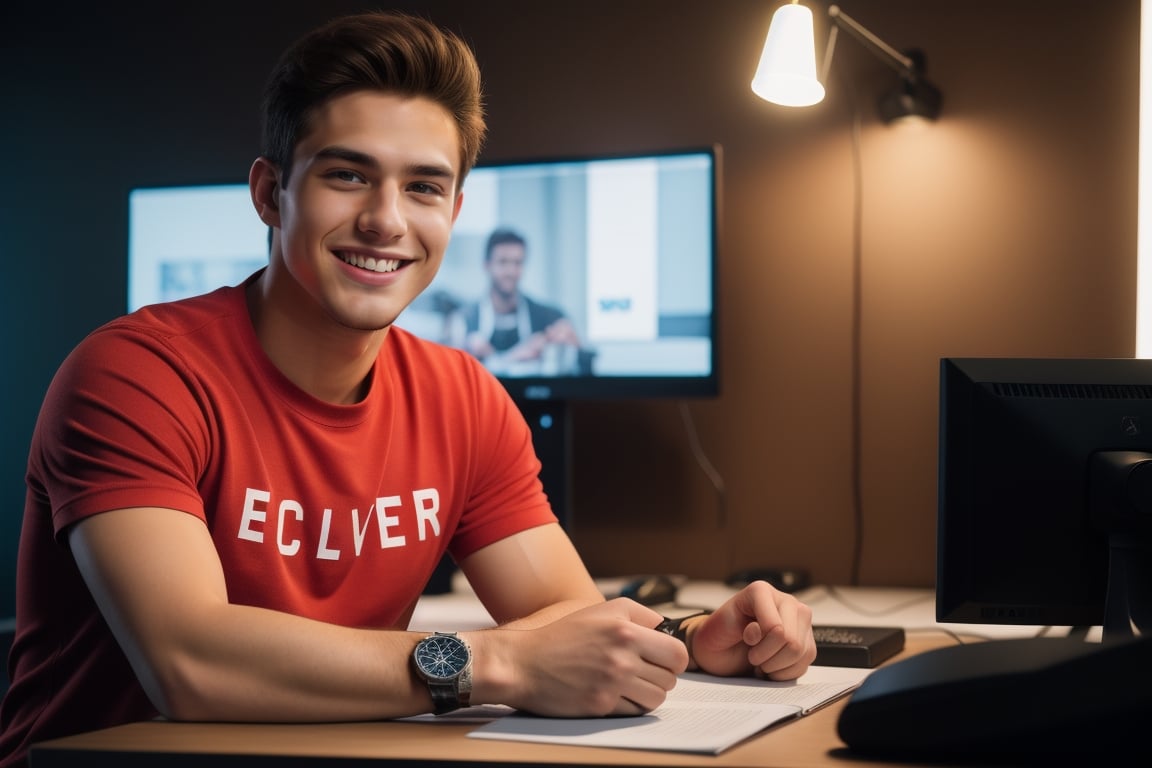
602,660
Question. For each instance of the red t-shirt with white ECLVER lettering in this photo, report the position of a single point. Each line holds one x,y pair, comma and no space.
338,513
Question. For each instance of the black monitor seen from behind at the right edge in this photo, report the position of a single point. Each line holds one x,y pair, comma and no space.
1045,493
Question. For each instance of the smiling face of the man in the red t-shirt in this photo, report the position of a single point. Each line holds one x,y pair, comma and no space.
370,204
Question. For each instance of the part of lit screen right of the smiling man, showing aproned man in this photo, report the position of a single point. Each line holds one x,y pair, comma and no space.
585,278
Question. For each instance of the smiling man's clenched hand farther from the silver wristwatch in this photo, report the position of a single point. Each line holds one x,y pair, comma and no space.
759,630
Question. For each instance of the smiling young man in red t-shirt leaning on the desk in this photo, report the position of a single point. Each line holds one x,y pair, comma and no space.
234,501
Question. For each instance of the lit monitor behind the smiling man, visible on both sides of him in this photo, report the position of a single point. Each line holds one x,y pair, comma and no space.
625,247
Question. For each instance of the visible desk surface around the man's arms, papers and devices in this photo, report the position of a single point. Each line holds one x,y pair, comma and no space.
812,741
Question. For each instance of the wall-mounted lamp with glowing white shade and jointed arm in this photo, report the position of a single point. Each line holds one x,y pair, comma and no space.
787,71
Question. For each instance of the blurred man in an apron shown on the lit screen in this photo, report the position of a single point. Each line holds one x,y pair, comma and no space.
512,333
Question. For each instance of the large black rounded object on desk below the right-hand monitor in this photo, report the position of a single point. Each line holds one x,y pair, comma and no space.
1006,701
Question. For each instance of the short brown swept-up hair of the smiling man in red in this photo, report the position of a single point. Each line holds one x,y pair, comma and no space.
390,52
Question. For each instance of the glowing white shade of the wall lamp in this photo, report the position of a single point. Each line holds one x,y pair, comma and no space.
787,71
